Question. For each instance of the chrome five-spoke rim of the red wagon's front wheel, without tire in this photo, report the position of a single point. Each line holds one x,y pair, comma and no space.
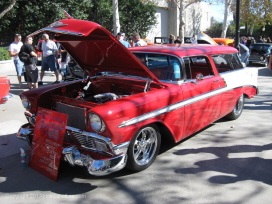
145,146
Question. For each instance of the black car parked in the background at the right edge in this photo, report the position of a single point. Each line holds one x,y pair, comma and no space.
260,53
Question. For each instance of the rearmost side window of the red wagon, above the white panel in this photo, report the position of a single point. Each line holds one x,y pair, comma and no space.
227,62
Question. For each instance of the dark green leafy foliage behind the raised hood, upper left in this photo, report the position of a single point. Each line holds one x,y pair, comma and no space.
28,16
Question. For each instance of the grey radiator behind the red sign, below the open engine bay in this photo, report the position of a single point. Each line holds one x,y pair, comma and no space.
76,115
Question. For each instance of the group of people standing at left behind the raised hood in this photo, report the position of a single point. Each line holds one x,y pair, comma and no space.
25,60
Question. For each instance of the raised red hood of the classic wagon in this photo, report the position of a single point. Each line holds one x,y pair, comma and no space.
95,49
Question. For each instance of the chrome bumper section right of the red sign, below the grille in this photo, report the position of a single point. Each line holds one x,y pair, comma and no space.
94,167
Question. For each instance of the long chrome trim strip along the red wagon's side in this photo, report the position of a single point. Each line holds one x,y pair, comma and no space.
175,106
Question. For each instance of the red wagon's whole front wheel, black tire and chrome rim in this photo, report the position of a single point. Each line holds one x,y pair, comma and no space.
144,148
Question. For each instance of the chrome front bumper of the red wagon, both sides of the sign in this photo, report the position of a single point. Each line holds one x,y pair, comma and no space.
74,157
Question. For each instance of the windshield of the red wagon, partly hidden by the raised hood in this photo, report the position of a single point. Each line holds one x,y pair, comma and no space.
164,67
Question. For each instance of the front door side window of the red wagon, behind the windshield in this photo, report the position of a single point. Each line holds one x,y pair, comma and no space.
197,65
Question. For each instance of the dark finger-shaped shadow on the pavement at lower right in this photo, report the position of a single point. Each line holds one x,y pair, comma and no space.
240,169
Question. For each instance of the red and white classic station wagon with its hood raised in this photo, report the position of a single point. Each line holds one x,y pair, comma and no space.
132,98
